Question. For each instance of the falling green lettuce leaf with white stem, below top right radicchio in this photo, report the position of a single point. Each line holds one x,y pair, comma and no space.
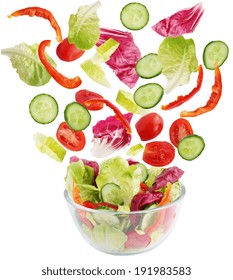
177,56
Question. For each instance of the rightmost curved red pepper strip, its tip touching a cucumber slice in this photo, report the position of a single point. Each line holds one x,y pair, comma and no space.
213,100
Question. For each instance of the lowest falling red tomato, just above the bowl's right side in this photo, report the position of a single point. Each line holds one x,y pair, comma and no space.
158,153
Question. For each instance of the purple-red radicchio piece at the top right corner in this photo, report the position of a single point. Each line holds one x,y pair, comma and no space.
184,21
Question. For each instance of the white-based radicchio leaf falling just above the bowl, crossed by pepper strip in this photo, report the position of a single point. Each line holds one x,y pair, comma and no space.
110,136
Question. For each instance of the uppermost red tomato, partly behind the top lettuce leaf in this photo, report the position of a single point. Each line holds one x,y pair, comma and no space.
68,52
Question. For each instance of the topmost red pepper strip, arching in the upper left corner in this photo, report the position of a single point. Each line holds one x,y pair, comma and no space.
43,13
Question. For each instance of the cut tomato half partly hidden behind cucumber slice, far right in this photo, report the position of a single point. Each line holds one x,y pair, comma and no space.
179,129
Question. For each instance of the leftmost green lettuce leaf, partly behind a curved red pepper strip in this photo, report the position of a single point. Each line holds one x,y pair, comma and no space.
25,60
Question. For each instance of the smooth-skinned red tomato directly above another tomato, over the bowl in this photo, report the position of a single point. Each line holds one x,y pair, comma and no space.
149,126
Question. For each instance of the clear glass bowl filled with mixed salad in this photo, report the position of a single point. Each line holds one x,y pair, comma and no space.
121,206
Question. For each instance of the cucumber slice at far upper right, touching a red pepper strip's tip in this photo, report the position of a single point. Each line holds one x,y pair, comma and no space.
215,53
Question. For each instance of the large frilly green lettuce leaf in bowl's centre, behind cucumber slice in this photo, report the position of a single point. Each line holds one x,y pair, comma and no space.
117,170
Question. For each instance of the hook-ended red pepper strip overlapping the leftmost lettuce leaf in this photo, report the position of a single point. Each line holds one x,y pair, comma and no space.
58,77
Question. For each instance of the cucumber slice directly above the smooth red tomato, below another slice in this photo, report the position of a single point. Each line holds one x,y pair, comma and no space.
149,95
